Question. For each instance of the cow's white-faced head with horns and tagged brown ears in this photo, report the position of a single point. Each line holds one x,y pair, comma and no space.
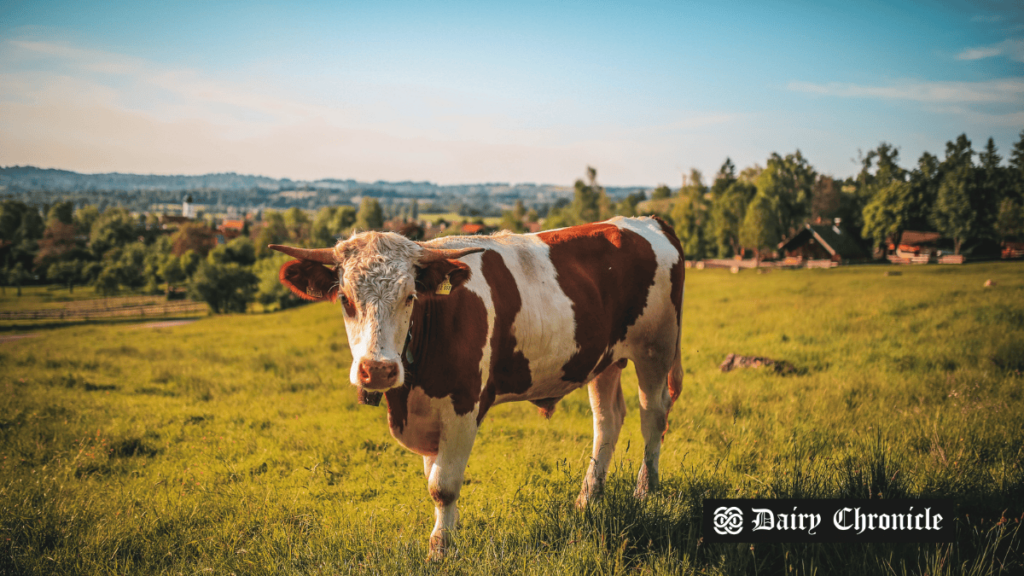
377,278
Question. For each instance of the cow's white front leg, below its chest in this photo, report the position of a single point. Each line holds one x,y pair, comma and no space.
445,477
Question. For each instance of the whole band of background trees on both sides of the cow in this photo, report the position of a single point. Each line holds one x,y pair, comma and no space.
968,197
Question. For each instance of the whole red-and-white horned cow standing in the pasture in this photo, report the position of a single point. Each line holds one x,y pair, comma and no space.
448,328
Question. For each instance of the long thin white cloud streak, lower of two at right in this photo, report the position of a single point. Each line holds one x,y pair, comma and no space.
1008,91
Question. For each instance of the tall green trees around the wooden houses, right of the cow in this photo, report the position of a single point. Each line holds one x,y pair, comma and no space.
971,198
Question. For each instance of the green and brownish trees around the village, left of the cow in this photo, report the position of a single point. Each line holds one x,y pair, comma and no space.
116,252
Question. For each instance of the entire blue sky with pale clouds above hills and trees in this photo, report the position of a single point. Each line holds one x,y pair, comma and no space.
461,93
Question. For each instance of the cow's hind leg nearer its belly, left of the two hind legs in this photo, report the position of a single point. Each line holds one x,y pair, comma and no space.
610,409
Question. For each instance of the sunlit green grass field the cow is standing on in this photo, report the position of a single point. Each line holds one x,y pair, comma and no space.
235,444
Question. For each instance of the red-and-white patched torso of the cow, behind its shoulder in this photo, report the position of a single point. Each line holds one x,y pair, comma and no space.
565,305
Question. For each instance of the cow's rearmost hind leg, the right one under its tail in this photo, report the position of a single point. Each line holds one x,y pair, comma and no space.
655,404
